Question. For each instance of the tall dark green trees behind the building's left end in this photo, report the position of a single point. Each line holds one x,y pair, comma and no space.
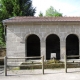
10,8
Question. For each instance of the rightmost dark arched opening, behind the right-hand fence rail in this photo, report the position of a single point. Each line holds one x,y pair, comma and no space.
72,45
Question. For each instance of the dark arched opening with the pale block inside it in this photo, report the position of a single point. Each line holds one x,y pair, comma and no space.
52,47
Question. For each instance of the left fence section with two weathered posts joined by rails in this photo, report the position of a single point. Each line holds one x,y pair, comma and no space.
5,62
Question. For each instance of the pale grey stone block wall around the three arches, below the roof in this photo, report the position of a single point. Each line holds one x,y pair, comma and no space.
18,33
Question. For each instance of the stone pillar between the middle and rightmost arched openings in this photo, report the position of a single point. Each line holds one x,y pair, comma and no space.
62,48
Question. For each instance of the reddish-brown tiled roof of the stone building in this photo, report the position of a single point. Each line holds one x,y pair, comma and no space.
40,19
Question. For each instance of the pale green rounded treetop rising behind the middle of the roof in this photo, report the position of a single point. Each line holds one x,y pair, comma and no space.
52,12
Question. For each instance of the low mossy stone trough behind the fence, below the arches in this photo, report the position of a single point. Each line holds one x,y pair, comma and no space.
50,64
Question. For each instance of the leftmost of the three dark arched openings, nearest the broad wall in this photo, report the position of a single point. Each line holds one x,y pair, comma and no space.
33,46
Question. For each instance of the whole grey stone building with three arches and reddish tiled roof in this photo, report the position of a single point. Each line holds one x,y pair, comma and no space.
37,36
